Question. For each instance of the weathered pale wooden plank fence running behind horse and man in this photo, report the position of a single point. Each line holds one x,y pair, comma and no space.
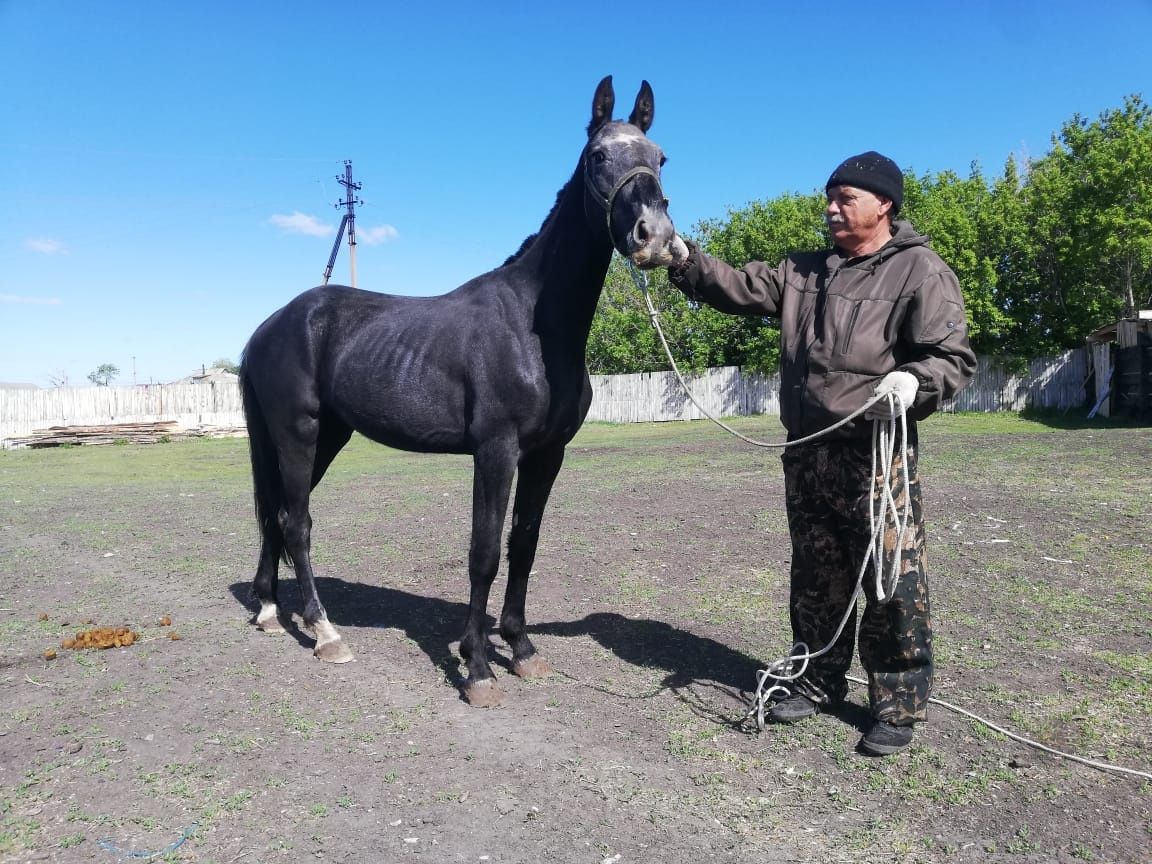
1056,383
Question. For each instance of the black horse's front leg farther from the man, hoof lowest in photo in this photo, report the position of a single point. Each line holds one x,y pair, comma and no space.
495,463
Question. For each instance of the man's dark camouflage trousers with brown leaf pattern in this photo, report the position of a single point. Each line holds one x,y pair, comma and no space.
827,489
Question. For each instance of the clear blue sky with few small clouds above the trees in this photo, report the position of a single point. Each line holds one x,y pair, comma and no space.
168,171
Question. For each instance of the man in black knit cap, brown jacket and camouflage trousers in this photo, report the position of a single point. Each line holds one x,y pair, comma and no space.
881,313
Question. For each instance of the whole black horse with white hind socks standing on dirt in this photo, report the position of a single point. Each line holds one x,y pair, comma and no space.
495,369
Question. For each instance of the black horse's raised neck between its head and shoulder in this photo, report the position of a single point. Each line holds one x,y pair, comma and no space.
566,268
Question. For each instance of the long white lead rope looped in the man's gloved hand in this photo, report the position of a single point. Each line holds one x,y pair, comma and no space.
884,438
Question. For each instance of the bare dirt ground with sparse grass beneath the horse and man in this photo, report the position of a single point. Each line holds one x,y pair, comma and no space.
660,592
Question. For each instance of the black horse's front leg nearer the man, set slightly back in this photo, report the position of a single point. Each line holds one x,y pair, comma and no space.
537,474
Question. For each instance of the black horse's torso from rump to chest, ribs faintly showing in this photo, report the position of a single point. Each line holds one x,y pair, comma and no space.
435,375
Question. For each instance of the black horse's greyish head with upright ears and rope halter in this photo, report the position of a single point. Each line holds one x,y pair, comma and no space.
622,170
